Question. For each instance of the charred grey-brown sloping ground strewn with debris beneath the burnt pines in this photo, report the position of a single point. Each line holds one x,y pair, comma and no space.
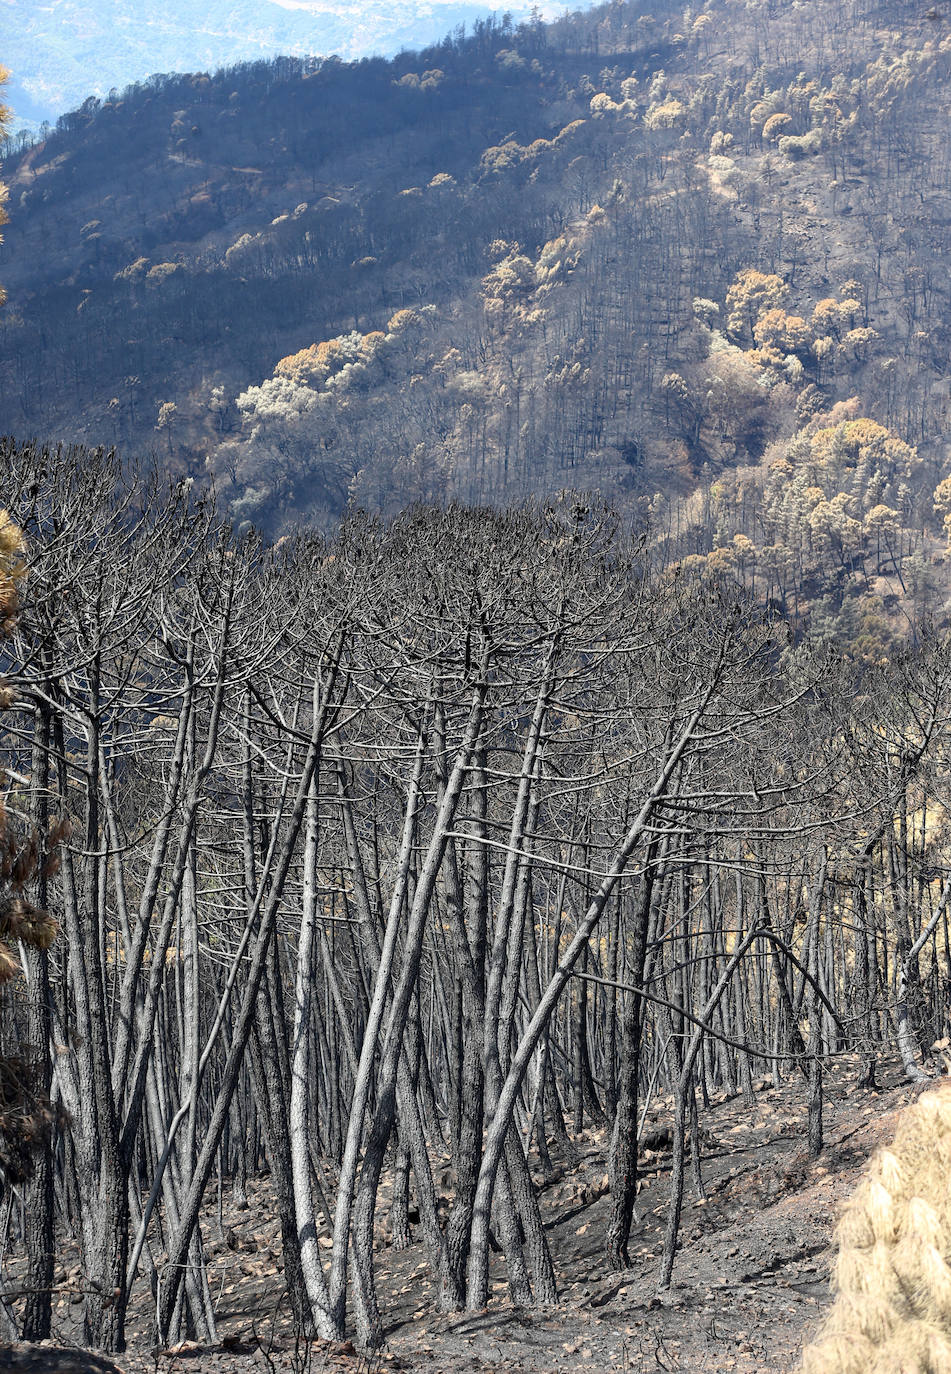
750,1285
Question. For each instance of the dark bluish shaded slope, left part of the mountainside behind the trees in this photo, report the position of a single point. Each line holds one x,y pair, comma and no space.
157,273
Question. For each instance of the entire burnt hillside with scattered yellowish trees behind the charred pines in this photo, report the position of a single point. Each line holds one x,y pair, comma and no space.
692,260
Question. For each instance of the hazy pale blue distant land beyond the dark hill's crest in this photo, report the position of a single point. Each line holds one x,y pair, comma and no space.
64,52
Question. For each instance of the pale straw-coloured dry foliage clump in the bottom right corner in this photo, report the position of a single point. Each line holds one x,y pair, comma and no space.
893,1311
